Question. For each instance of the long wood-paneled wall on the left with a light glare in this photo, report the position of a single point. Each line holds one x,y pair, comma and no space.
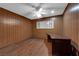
13,28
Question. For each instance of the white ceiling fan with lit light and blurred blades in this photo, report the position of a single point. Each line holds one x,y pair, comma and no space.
39,11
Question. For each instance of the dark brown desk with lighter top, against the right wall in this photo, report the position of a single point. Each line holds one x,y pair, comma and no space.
61,45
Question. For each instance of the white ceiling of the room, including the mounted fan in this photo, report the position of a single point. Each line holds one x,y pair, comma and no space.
35,10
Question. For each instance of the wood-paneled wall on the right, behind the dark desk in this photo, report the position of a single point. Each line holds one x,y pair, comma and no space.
71,22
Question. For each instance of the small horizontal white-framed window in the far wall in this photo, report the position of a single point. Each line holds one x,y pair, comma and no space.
47,24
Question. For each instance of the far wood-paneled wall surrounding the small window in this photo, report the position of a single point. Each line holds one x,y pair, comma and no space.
41,33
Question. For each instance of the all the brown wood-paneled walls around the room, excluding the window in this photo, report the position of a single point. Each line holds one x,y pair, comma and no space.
14,28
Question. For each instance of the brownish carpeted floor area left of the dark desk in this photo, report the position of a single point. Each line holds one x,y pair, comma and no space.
30,47
